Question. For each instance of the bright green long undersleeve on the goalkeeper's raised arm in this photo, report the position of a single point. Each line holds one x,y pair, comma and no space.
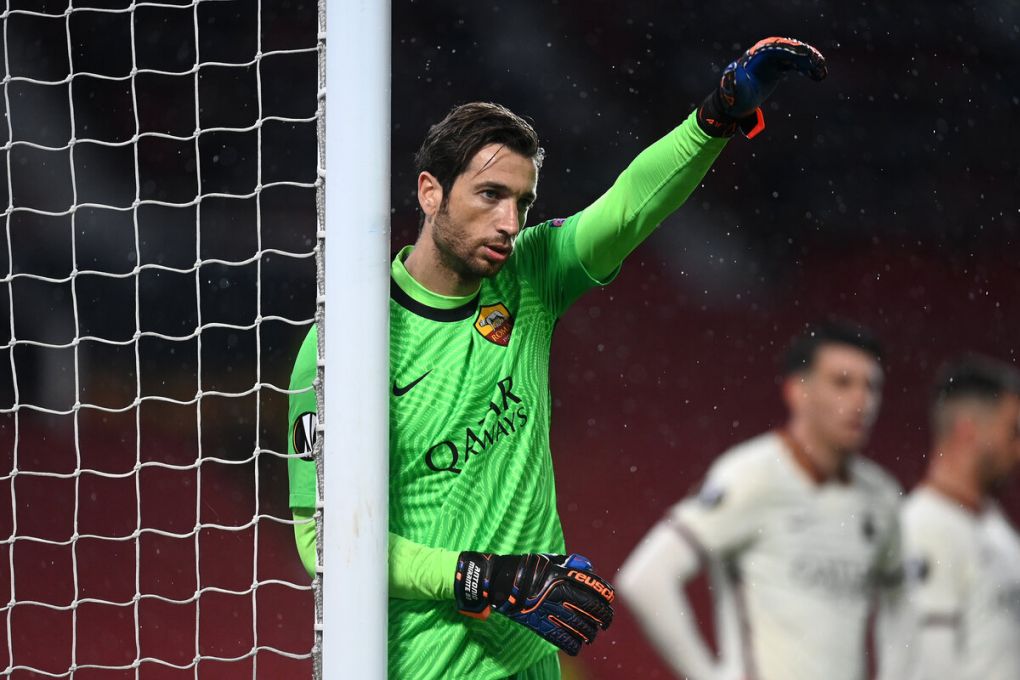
656,184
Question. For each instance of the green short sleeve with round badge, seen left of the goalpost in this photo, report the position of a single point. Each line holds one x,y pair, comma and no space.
302,422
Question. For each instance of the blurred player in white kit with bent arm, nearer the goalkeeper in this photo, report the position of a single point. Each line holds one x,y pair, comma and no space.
797,531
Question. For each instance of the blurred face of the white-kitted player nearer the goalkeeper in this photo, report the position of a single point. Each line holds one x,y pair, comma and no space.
839,396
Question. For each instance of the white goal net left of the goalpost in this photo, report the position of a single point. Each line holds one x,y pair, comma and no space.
158,275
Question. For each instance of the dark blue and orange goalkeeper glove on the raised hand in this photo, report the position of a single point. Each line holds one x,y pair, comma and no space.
747,83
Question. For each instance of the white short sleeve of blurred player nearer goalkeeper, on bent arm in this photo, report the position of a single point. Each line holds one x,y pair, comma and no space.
724,517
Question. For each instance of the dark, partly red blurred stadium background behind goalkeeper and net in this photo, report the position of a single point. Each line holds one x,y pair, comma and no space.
887,194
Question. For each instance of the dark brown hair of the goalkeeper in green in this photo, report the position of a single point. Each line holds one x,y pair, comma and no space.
452,143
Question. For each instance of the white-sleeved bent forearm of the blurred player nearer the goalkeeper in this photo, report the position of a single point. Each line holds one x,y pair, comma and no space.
652,583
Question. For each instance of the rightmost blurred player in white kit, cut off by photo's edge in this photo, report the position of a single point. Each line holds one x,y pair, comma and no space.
962,554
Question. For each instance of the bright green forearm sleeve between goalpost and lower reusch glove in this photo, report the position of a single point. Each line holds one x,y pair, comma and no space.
421,572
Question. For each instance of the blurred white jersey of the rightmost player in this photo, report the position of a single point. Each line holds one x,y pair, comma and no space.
964,572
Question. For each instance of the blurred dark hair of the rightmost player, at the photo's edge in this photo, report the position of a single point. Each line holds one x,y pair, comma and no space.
973,378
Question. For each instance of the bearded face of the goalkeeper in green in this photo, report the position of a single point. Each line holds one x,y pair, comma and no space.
476,227
